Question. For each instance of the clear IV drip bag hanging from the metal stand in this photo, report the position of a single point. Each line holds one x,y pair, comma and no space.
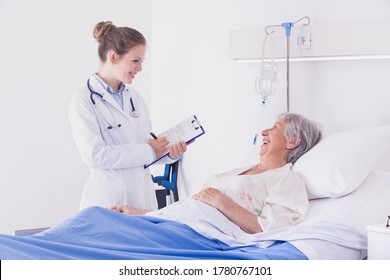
265,83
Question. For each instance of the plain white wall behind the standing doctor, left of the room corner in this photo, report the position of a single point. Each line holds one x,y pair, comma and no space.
47,53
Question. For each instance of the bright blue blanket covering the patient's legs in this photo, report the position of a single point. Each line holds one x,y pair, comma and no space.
98,233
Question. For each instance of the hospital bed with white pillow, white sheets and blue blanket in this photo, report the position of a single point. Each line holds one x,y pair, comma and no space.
348,178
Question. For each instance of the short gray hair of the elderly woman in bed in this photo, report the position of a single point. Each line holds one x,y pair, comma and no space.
298,127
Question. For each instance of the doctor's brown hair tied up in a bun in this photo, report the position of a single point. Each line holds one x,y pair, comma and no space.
118,39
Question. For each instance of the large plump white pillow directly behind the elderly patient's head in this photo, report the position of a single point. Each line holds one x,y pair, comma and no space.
340,162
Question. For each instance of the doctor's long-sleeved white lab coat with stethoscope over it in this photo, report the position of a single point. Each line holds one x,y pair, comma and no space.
116,157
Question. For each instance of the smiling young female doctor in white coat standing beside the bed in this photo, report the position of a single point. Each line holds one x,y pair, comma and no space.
111,125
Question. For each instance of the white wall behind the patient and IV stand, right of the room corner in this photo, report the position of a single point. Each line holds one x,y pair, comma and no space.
192,74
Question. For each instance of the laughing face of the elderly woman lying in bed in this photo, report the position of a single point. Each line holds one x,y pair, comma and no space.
274,141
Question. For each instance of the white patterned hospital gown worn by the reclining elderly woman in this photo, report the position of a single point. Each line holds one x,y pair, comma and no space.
278,197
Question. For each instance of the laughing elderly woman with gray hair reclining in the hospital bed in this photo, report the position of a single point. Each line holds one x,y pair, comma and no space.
258,198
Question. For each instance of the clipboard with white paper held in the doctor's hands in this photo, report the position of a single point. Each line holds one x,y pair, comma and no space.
187,131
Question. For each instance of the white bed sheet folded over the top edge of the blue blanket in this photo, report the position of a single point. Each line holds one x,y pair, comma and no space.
312,238
